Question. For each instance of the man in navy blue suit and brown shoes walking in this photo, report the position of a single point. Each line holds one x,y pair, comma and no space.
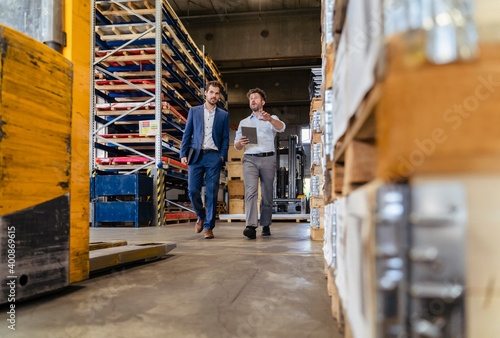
207,134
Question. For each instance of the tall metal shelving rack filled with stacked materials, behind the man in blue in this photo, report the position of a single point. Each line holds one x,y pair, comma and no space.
146,69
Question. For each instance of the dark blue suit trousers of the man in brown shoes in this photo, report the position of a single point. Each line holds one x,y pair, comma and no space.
208,164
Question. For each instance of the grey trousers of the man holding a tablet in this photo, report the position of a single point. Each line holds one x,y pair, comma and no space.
254,168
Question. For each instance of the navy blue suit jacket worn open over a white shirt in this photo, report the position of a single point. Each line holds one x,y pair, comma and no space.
193,134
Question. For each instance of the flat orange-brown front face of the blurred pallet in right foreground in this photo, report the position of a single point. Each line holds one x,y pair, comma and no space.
444,130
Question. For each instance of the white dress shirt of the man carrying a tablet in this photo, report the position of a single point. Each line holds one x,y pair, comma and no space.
265,134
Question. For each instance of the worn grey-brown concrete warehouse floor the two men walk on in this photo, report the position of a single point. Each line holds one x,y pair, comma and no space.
225,287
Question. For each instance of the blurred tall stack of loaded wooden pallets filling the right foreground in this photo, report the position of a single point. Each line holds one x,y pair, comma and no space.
412,168
